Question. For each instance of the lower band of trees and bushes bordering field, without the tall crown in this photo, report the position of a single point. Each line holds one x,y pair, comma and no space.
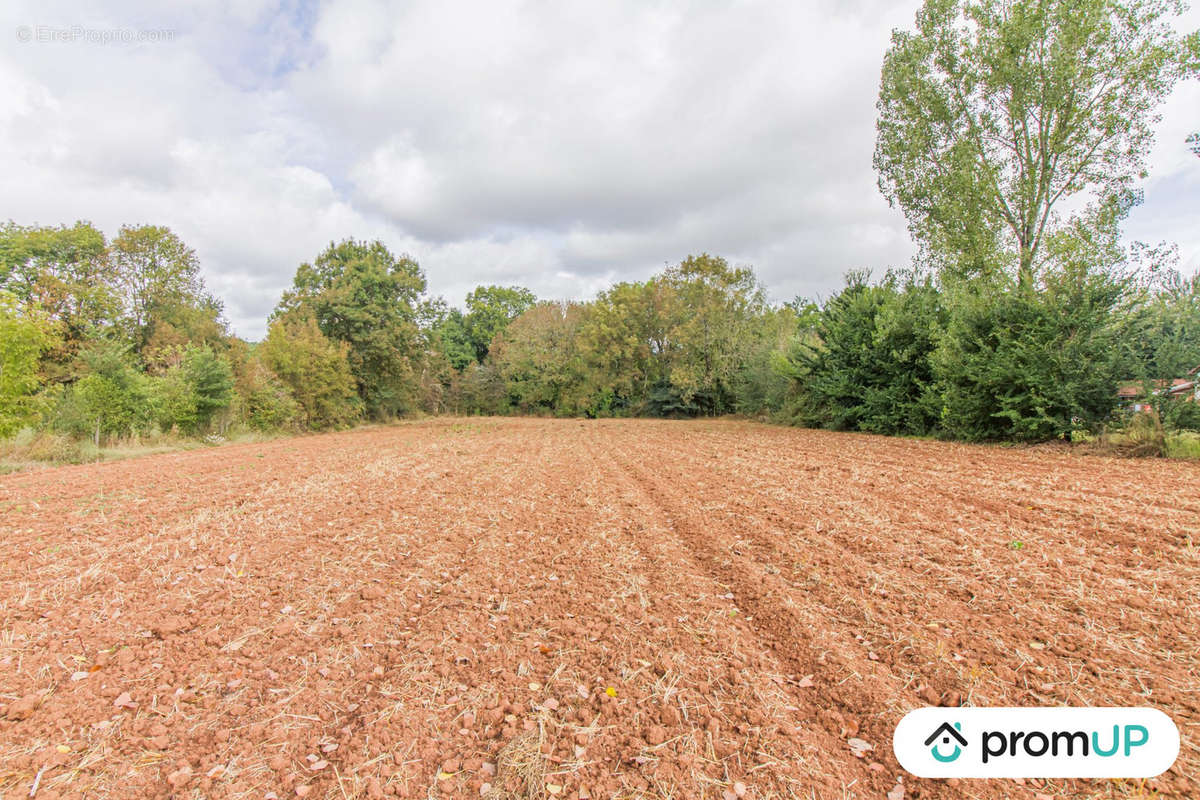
111,340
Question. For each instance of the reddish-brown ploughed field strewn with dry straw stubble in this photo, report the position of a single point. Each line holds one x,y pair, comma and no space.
526,609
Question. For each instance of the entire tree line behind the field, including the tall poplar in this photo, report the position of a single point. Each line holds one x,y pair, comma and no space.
1012,134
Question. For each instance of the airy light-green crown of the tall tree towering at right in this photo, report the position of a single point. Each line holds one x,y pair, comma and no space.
994,115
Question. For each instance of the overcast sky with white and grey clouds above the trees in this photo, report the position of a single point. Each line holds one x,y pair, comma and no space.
560,146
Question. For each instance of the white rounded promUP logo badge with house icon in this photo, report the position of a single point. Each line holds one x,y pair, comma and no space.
1036,743
